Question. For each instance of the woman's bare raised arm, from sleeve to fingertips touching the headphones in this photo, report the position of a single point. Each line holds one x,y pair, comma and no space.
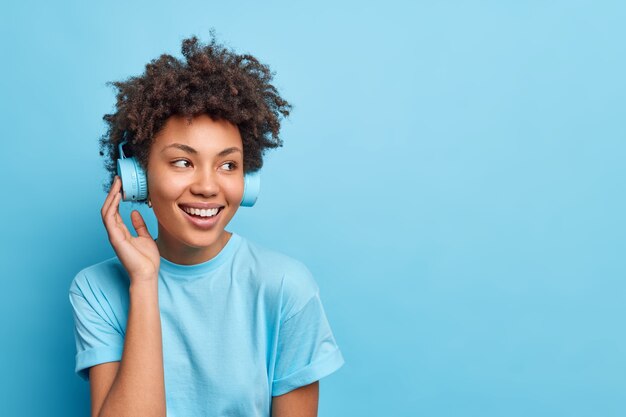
138,388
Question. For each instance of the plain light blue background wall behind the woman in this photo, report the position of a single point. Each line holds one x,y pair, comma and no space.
453,174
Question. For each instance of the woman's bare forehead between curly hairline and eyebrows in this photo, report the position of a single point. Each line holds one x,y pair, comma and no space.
200,132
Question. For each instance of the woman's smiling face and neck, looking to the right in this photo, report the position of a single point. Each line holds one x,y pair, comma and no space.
195,184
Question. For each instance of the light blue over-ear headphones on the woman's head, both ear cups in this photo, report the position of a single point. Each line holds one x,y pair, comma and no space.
135,183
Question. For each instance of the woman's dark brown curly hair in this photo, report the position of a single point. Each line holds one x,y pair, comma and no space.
211,80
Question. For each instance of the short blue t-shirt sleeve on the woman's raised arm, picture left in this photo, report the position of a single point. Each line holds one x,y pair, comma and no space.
97,339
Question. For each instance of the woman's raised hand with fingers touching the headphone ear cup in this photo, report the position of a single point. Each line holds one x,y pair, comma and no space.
140,254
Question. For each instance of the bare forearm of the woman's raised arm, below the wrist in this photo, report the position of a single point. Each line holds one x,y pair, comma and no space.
139,387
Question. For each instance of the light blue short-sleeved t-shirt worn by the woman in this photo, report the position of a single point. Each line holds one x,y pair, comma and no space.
237,329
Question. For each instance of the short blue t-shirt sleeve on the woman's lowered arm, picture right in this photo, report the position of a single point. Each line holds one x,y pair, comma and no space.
306,350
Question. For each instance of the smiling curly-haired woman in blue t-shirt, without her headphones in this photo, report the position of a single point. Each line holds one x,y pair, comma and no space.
200,321
